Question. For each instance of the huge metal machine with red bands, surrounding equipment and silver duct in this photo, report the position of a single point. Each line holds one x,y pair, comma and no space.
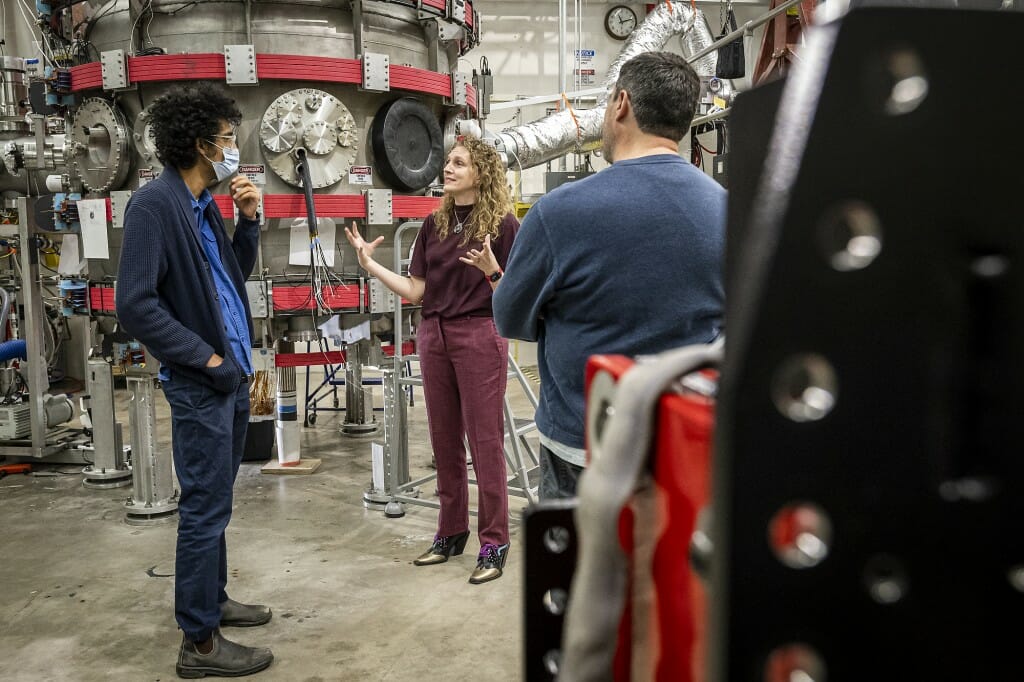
350,108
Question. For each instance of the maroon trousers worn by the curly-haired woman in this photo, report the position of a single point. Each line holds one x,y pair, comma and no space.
465,368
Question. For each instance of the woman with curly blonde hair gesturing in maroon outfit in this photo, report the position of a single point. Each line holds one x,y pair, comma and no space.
458,262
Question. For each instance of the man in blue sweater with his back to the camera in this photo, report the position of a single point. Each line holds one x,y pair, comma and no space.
626,262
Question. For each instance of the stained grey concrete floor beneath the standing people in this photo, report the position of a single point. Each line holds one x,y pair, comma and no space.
89,598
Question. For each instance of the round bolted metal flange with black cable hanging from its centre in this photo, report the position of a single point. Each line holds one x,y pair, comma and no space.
317,122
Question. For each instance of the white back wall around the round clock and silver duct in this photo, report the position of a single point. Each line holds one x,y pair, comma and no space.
521,44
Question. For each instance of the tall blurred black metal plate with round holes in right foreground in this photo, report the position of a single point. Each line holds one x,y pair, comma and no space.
912,450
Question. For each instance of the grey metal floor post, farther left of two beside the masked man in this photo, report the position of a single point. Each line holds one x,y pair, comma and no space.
109,468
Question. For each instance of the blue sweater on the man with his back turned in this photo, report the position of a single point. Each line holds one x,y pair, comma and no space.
627,262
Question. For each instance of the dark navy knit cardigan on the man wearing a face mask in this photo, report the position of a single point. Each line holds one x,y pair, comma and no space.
166,296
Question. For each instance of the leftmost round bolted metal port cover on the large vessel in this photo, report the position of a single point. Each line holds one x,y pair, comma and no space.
100,146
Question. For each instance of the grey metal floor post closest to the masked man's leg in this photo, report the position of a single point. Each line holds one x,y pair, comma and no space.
154,496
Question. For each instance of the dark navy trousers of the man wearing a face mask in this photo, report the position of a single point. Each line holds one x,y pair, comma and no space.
208,434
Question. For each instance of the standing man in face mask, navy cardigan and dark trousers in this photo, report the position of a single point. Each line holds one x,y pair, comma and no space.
182,293
